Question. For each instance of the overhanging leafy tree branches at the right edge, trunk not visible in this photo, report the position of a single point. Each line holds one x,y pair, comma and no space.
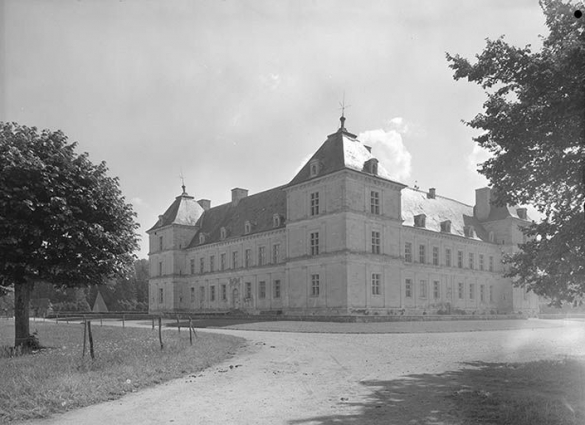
533,124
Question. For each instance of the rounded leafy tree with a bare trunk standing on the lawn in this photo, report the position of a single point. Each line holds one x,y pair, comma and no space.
63,220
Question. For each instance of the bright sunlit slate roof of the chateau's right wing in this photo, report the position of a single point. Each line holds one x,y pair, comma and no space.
439,209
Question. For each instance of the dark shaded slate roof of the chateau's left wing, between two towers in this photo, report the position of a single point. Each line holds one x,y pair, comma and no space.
259,209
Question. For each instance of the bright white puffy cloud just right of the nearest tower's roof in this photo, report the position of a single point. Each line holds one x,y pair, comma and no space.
388,147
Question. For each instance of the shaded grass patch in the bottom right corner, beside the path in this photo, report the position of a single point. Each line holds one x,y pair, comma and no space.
535,393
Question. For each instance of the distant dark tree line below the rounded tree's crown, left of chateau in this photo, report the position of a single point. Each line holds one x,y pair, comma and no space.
121,294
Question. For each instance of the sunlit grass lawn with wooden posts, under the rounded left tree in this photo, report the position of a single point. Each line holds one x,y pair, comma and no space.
58,378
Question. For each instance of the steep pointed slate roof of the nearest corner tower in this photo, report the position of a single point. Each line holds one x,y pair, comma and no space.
341,150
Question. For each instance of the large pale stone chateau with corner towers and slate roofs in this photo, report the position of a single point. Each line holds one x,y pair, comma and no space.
342,238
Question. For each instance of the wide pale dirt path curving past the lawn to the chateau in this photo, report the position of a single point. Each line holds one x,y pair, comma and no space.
312,378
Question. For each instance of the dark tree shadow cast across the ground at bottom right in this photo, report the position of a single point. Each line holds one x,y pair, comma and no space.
535,393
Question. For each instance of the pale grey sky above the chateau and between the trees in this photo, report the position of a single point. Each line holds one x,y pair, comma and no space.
241,93
